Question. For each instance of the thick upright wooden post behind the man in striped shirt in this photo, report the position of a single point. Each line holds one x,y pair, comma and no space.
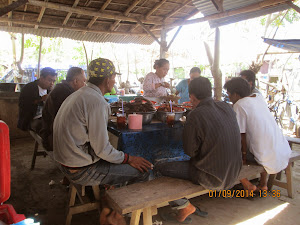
216,69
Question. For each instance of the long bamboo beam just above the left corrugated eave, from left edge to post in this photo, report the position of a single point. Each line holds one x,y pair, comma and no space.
3,19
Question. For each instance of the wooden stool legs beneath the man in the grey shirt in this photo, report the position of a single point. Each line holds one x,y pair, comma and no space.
84,205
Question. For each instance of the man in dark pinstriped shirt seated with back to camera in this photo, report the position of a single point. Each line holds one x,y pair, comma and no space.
211,137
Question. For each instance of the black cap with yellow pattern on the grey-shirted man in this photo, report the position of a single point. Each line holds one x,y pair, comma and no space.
101,68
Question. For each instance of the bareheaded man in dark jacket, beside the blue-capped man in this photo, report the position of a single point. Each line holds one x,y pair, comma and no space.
75,79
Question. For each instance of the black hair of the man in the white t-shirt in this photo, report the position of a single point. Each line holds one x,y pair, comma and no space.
238,85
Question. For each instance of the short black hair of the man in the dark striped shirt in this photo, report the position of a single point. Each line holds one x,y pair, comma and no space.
200,87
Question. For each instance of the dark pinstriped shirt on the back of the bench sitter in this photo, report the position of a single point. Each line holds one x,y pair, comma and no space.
212,139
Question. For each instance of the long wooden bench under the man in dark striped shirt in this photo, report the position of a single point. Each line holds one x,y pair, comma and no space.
146,197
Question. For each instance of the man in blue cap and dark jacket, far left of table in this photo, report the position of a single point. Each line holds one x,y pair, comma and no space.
32,98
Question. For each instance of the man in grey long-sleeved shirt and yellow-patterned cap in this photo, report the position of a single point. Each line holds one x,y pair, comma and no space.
80,138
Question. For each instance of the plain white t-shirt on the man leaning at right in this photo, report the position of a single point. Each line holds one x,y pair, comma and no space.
264,138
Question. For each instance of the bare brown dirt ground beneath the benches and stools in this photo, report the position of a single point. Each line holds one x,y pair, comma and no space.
32,195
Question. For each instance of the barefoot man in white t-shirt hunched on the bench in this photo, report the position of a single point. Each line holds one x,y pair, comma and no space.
262,140
